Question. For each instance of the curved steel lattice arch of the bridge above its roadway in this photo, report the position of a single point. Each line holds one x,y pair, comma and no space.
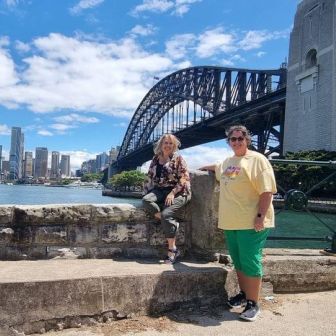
192,96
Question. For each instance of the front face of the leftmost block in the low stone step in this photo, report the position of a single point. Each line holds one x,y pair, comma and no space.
48,300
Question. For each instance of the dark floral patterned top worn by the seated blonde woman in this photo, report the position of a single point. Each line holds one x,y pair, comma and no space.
174,174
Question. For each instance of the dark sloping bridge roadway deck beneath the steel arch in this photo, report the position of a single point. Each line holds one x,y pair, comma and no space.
258,115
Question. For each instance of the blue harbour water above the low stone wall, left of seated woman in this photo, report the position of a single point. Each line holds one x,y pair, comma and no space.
31,195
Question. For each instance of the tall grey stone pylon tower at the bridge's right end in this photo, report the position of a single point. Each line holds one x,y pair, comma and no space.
310,119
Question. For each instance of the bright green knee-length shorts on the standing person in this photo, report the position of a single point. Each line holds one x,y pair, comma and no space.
245,248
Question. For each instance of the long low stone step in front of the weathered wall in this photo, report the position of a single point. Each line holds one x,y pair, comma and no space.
38,294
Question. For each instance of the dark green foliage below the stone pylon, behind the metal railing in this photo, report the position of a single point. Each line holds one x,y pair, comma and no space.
301,177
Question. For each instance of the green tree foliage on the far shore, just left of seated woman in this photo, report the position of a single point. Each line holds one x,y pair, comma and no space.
127,180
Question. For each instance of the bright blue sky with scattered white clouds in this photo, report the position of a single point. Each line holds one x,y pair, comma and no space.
72,73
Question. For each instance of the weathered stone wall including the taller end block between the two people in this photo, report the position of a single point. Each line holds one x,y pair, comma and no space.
107,230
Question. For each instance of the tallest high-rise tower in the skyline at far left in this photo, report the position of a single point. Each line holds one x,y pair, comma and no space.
16,154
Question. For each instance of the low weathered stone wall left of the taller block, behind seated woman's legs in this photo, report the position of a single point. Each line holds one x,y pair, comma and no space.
85,231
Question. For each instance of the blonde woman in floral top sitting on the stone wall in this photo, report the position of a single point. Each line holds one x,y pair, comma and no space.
167,189
